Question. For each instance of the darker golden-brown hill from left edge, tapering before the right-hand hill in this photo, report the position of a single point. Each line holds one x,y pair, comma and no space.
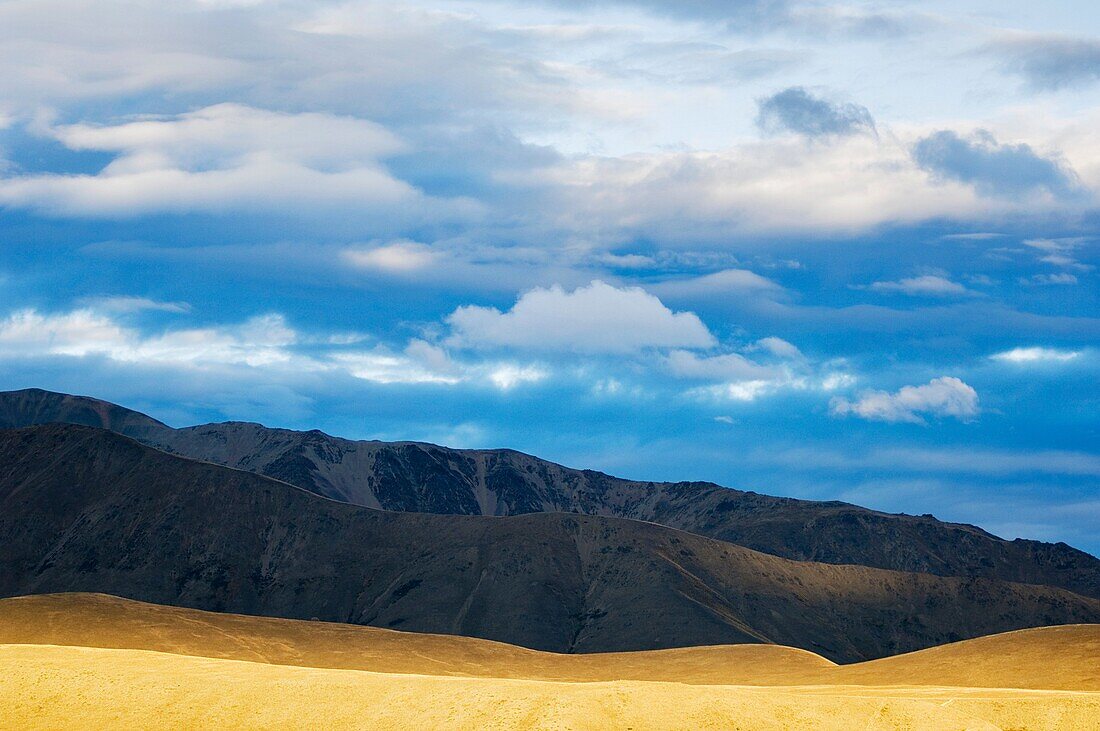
96,621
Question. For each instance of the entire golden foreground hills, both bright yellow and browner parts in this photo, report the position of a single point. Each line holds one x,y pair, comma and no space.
94,661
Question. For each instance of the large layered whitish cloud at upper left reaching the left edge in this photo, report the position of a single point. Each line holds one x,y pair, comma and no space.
221,159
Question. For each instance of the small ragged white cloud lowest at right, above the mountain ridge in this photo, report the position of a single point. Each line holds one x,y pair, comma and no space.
941,397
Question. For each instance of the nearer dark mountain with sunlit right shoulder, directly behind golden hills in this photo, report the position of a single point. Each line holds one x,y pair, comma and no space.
84,510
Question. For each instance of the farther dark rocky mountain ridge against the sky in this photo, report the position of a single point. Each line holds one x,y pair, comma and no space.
417,478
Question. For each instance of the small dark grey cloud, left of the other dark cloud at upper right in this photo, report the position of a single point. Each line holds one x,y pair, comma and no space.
797,110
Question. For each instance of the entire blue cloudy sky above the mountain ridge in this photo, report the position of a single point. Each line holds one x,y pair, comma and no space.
829,251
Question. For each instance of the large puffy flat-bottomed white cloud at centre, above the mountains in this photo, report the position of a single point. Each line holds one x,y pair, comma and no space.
595,319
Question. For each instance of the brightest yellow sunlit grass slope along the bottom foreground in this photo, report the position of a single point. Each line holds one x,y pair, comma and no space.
51,688
